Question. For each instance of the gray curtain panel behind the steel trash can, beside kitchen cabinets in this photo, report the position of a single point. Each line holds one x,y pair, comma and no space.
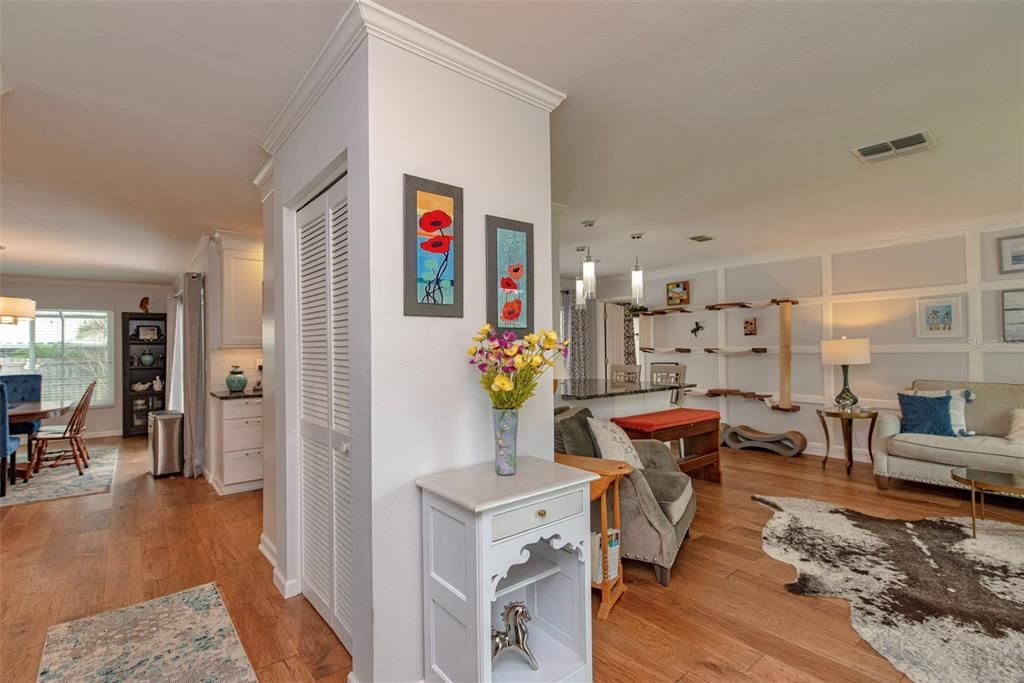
194,364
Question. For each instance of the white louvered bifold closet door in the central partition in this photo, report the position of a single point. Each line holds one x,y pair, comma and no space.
325,402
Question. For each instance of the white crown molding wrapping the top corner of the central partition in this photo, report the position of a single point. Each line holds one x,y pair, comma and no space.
366,18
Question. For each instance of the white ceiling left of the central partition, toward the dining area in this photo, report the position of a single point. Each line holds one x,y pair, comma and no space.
134,129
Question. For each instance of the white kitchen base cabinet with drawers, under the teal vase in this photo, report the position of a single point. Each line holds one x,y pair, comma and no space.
236,458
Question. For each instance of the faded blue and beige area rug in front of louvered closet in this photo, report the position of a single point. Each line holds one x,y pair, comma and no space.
185,637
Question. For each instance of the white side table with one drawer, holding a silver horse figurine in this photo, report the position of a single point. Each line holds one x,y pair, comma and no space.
489,541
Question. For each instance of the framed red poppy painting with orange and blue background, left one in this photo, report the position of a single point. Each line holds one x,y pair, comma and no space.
434,248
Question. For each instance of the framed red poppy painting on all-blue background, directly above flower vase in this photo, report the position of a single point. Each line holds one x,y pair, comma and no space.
510,275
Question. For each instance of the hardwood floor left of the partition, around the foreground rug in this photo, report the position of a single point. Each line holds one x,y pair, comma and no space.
78,557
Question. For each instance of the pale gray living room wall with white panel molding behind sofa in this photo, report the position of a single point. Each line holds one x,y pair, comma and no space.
857,290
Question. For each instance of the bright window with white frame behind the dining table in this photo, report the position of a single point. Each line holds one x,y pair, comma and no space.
70,349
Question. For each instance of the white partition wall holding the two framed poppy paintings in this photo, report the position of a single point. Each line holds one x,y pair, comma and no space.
415,407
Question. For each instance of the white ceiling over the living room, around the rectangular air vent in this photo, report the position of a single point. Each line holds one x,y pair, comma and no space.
736,119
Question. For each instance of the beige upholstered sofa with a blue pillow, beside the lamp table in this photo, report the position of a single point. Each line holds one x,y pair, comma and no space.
929,459
